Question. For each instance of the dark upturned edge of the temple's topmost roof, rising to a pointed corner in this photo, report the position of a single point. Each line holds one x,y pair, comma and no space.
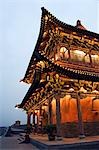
63,25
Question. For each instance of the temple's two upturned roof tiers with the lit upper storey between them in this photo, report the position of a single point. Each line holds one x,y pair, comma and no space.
63,53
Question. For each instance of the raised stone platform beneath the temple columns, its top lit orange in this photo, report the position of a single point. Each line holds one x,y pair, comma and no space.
87,143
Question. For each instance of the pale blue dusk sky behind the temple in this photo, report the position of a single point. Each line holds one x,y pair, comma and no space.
19,29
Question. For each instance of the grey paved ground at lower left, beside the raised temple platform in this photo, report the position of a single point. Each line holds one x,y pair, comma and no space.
13,143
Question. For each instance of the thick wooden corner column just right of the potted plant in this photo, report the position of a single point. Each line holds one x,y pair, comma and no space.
58,117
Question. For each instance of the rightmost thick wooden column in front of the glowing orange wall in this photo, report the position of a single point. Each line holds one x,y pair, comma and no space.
80,121
